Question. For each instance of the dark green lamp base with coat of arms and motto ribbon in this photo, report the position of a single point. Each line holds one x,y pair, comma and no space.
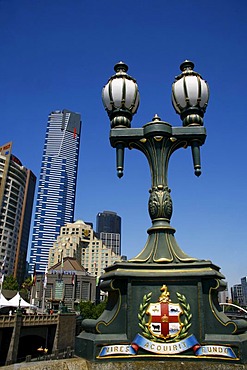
167,312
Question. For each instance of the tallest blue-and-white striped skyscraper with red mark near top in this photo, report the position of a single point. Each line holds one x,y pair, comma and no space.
57,184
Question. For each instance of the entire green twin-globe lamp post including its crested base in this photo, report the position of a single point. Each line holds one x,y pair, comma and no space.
163,303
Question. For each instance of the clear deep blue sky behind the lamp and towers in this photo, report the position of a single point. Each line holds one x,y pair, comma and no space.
57,54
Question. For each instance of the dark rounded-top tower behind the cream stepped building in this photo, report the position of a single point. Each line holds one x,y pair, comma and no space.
108,228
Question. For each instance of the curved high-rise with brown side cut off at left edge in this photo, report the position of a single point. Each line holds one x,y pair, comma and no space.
17,186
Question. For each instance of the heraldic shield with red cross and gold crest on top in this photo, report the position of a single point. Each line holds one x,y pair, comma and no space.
164,317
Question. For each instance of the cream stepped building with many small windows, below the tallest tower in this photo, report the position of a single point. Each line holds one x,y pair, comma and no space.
77,240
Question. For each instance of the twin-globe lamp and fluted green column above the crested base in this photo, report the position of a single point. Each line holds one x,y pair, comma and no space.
158,140
